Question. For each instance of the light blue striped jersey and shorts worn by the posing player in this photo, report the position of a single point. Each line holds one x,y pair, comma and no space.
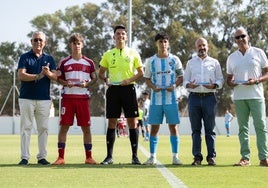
163,73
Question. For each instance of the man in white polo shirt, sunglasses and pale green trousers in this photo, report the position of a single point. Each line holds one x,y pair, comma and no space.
247,68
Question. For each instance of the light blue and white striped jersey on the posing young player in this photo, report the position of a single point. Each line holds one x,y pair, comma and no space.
163,73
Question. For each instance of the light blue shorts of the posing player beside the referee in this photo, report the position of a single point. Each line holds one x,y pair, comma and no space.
157,113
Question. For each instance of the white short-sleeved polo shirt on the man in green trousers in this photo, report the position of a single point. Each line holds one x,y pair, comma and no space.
246,66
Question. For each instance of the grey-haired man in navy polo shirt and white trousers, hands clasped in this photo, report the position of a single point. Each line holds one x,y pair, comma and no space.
35,70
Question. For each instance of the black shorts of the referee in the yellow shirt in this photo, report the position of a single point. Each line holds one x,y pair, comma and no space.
120,98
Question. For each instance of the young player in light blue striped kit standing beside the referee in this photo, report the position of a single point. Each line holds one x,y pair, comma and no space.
163,73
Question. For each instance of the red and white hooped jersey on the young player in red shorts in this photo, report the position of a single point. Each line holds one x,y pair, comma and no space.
75,71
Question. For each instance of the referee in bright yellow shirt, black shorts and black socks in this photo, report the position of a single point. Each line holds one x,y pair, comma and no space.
123,66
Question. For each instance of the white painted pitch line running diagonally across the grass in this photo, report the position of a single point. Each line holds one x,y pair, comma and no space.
169,176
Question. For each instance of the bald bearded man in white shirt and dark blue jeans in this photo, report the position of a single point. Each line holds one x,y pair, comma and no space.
202,76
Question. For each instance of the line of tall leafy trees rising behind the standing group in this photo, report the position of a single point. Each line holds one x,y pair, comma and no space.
183,20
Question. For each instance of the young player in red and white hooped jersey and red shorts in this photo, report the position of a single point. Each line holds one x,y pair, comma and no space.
77,74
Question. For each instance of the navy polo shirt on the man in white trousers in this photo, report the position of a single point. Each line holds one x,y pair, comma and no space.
40,89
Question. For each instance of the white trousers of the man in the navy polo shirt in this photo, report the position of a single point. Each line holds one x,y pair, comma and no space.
30,109
